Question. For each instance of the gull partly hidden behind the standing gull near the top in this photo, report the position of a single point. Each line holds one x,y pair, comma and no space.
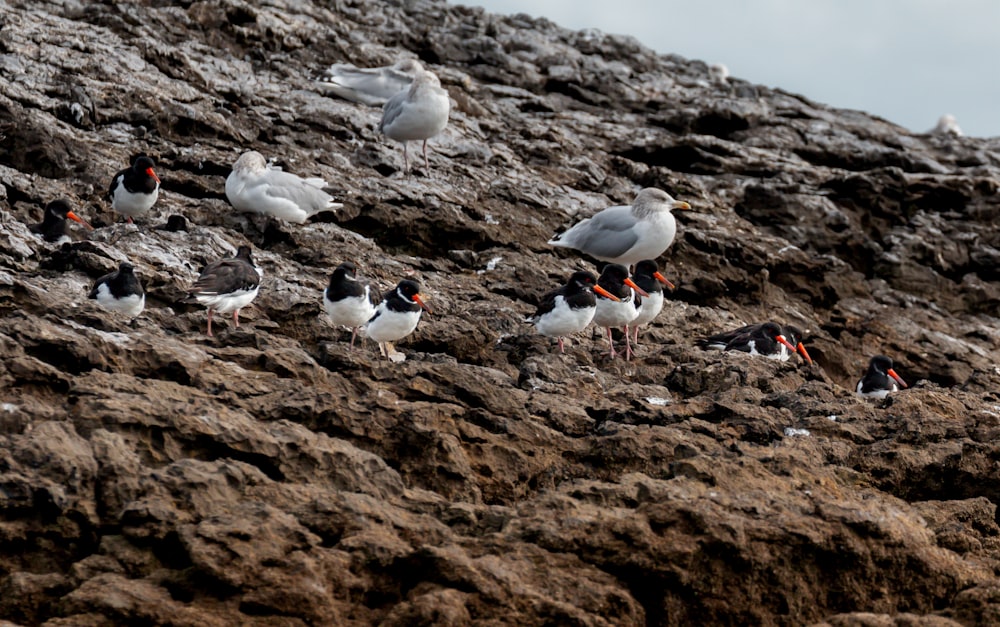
370,86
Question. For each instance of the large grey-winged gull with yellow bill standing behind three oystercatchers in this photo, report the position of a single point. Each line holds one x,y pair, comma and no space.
626,234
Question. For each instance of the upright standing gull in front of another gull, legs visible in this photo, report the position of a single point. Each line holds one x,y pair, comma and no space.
419,113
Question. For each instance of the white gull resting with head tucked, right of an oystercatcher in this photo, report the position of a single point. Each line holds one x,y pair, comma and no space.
255,187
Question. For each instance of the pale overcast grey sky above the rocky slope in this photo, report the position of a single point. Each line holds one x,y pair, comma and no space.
908,61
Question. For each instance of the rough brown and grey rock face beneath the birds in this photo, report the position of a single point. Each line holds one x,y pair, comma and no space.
269,476
